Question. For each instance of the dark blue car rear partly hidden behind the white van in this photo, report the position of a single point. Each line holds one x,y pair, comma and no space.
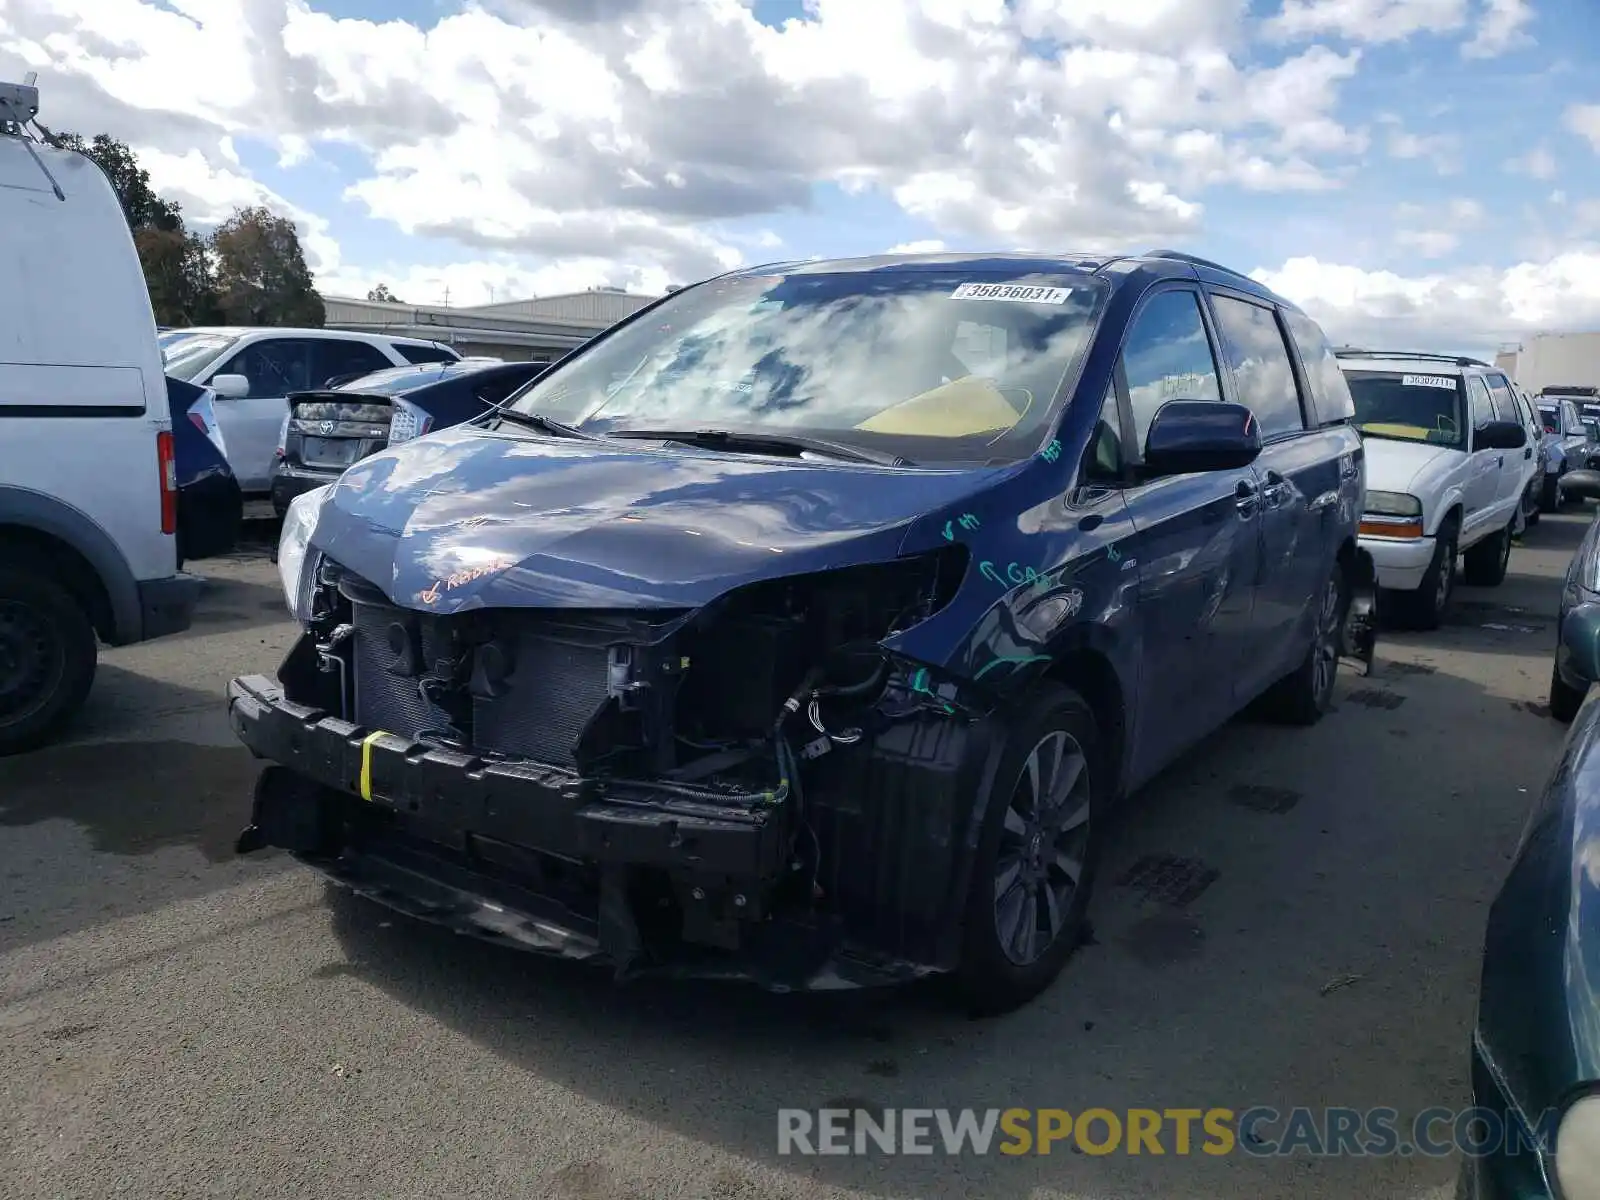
210,505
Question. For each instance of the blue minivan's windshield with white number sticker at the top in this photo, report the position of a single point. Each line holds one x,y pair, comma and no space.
930,366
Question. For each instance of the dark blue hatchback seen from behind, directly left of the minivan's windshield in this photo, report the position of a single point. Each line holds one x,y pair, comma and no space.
330,430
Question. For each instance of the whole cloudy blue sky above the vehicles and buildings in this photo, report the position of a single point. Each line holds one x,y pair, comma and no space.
1412,172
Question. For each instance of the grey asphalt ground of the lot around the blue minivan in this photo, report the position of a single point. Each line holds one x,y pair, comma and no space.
180,1023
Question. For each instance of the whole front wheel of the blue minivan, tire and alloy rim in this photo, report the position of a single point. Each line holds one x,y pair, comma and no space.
1034,870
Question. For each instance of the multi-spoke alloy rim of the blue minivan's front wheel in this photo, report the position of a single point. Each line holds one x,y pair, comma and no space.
1044,847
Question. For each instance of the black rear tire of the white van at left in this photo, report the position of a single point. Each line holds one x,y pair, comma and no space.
47,658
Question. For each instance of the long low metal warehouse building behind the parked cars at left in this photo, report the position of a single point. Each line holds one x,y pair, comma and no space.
532,330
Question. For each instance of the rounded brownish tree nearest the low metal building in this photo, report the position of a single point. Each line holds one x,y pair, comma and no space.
262,274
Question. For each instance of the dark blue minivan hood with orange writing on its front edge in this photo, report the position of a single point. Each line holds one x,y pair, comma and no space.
470,518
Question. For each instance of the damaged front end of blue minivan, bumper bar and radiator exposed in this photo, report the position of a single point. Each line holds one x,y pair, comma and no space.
756,788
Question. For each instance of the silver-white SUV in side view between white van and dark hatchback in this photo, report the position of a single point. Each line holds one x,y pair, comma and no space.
254,370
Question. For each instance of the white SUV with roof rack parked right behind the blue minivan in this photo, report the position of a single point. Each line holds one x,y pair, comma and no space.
1449,462
